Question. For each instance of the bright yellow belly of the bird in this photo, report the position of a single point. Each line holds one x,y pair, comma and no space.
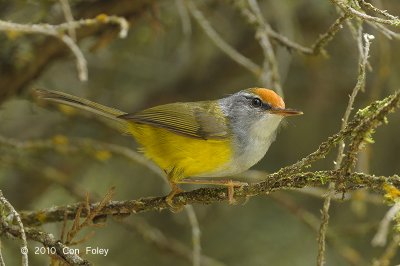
181,156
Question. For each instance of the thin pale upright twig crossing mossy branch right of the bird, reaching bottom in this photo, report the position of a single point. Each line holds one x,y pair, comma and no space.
364,53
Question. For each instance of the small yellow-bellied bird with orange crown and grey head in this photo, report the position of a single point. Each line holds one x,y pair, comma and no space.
199,142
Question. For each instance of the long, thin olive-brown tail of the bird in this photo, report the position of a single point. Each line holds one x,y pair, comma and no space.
97,109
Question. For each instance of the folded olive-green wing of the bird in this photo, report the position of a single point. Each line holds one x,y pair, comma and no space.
197,120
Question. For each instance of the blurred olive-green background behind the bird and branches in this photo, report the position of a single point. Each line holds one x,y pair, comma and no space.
159,63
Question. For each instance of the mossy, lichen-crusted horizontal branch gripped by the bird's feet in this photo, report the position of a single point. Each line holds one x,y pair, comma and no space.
209,196
